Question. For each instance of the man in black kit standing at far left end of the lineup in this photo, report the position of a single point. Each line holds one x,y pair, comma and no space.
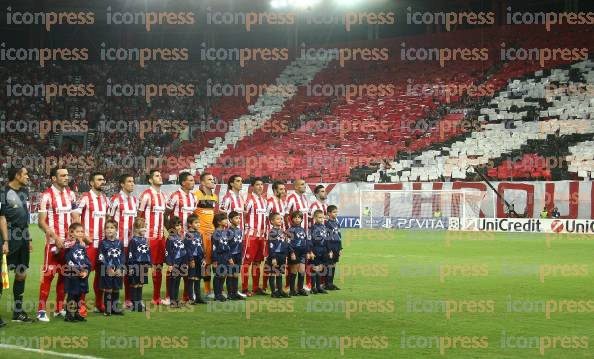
15,237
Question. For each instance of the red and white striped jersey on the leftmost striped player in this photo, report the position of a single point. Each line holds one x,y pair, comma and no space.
58,205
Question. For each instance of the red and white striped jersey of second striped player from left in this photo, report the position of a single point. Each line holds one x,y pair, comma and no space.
93,213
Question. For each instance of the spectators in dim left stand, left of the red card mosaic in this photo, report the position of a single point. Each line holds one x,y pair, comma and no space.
31,137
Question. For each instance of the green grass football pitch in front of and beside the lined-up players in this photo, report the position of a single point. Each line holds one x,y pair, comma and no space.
403,294
